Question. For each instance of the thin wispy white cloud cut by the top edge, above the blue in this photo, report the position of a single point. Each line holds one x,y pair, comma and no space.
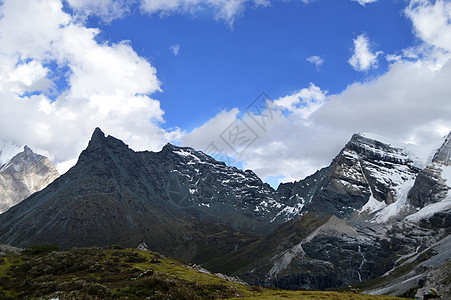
223,9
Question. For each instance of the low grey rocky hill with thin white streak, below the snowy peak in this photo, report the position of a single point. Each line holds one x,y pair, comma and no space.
318,253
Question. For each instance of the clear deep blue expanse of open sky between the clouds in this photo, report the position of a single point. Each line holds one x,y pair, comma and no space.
222,66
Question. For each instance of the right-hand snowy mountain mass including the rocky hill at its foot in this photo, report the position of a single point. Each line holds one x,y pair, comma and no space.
359,219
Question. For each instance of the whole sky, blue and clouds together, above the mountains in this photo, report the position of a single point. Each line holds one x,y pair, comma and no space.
184,71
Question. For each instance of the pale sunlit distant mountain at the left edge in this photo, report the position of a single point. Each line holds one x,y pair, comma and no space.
22,173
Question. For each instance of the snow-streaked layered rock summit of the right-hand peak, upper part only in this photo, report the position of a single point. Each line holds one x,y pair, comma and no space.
366,176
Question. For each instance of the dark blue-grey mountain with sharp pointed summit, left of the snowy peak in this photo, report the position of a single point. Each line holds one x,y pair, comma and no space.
176,200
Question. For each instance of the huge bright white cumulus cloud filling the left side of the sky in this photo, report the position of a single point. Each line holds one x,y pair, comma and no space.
109,85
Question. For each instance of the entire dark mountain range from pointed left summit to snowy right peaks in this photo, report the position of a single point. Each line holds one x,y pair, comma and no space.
376,214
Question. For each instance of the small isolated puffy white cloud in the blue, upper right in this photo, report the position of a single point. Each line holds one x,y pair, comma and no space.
363,59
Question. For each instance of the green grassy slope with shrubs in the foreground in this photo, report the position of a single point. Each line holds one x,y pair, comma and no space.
108,273
